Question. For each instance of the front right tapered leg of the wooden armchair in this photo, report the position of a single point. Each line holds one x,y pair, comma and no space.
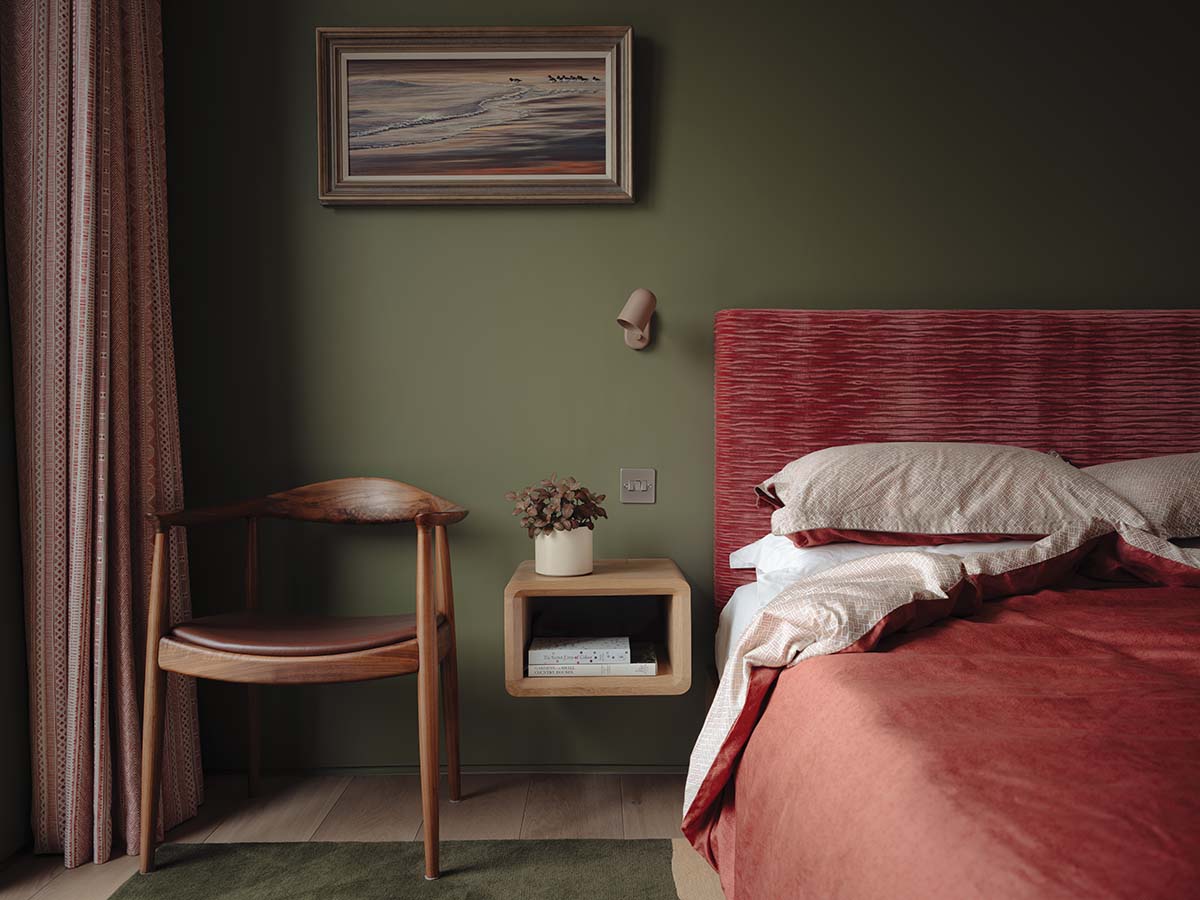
428,697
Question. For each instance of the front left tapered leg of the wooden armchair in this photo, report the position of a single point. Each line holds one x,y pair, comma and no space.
154,704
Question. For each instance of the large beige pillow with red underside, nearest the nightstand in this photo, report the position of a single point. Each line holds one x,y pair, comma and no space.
935,494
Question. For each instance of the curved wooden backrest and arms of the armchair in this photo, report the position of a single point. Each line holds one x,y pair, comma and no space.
364,501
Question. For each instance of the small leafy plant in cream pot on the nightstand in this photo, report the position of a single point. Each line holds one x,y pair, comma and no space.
560,518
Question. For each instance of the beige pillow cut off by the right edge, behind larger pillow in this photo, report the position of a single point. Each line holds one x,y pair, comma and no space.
1166,489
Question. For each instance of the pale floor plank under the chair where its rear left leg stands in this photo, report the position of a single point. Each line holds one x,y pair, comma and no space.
291,809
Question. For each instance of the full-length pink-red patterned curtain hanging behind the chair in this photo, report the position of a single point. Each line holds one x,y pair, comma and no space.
98,427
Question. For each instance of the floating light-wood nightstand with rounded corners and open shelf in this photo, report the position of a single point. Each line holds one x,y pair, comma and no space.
658,585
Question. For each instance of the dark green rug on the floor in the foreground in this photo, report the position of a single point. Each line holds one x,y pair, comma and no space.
479,871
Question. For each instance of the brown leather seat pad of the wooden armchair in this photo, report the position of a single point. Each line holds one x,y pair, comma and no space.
272,635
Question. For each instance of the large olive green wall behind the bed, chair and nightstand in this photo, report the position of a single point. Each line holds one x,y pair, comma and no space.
788,155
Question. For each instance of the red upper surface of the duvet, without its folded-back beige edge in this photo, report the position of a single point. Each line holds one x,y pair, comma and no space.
1047,747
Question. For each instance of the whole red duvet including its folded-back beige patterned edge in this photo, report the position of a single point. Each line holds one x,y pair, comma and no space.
1048,747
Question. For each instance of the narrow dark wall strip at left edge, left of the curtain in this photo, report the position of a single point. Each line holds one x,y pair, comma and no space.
15,775
